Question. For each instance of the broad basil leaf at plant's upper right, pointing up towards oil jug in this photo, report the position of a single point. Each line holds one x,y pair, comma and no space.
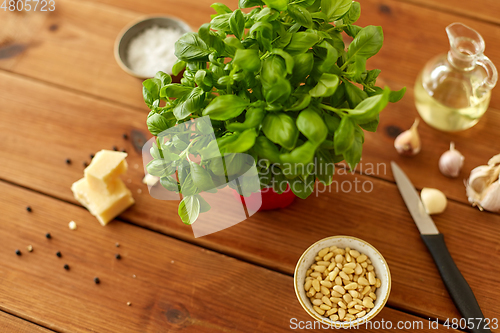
366,43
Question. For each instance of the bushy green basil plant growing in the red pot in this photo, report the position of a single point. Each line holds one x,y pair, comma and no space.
279,84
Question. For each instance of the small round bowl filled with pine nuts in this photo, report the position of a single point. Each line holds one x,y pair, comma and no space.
342,281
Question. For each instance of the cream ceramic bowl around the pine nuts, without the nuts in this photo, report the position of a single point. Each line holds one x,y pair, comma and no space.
380,266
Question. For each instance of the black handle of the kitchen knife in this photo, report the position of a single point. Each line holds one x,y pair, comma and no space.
457,286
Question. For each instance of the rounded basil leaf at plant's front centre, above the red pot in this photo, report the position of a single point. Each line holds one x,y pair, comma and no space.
281,129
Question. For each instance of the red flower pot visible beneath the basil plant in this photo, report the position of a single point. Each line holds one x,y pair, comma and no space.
270,199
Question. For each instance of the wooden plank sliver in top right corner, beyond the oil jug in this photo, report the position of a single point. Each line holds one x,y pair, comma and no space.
484,10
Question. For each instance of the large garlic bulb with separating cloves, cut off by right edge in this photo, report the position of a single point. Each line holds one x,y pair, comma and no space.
483,186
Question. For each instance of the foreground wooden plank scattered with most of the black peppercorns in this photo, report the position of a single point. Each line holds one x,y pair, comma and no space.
178,286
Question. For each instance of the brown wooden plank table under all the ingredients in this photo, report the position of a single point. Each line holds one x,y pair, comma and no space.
63,96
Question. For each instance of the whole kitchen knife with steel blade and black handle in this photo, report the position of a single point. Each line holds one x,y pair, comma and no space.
457,286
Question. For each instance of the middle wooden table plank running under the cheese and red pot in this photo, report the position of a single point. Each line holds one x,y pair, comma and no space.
34,155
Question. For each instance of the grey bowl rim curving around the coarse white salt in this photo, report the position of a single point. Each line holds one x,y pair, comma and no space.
135,28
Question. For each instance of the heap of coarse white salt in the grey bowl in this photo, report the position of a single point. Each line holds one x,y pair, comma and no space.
153,50
